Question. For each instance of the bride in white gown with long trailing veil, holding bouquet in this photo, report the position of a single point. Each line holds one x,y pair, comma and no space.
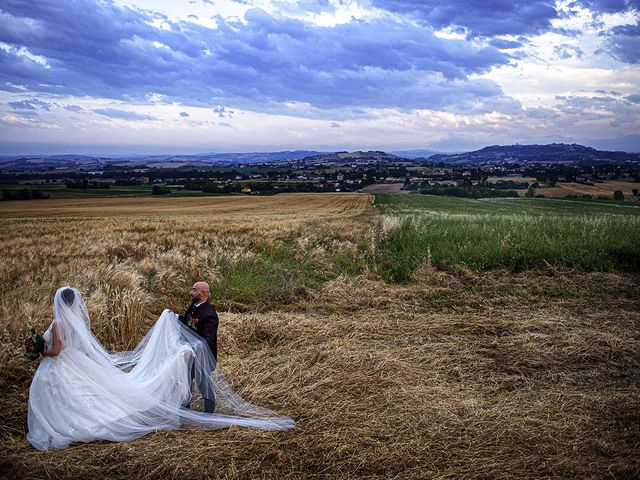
82,393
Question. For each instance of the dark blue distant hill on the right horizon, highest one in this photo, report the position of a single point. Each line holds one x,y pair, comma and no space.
552,153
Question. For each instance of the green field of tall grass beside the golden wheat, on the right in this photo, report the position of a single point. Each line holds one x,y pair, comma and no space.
514,234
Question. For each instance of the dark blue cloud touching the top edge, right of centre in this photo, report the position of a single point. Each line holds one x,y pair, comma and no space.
481,18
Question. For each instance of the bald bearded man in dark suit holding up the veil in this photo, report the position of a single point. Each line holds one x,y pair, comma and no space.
202,318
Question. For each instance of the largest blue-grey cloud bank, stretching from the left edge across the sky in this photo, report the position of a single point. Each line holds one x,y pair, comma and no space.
261,64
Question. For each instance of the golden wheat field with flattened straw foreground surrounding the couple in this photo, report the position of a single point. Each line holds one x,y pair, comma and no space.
458,374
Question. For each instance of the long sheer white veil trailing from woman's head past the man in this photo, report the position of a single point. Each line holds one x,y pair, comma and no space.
150,383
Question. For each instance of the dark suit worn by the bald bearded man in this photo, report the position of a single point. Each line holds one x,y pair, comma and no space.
206,321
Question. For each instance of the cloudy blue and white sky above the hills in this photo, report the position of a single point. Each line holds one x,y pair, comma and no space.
174,76
